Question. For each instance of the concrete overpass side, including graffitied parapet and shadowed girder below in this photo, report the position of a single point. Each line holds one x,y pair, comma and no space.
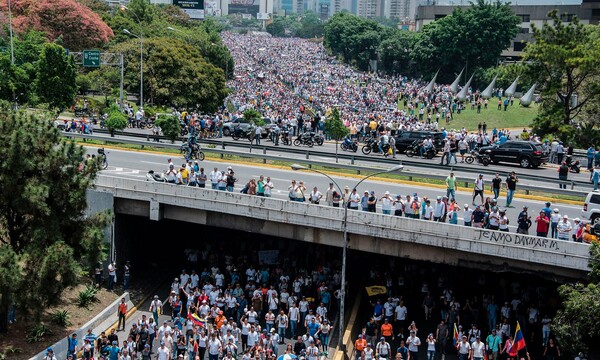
368,232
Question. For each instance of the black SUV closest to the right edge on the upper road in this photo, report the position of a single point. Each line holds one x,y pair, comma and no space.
524,153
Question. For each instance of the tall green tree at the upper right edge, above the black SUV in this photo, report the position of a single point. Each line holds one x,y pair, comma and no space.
565,61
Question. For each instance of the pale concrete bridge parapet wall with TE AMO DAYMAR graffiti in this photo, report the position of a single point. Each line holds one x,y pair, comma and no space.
471,241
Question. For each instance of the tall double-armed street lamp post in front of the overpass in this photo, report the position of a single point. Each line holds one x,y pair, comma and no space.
345,237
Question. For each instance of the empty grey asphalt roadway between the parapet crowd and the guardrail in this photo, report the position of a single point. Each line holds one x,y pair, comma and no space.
136,164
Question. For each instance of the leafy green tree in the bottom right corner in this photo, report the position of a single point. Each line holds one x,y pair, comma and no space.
576,324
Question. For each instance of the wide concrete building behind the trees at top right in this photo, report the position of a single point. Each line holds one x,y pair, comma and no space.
528,14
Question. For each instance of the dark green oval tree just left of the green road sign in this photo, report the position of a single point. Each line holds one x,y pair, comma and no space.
56,77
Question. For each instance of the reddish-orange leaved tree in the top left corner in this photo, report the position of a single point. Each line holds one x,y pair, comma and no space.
76,24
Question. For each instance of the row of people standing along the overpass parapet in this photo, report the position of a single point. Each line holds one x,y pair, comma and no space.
484,211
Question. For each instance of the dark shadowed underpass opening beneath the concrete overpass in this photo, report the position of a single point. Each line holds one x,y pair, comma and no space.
461,295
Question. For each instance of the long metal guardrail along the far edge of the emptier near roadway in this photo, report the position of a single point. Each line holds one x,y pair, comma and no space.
262,154
